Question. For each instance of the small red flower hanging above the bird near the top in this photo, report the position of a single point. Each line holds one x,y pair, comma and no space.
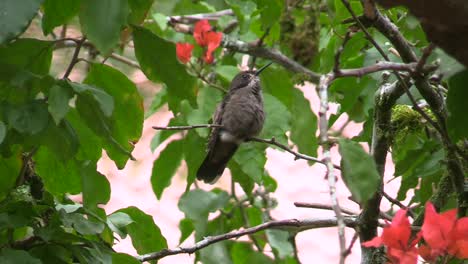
207,38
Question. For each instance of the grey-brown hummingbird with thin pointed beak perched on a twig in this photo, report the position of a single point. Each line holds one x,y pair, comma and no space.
239,117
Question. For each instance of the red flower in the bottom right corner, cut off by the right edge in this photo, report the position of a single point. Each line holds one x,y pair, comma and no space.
444,233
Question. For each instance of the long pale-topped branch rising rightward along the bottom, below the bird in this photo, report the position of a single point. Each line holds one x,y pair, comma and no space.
288,224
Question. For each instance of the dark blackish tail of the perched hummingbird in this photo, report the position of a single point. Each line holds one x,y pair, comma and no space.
215,162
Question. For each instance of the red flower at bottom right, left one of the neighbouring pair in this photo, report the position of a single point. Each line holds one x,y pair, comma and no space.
396,237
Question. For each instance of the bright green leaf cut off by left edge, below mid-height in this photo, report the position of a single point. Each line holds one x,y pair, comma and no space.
10,168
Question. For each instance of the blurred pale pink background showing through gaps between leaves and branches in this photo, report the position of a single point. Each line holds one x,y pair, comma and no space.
297,182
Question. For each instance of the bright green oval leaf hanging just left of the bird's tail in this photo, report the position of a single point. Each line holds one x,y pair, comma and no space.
165,166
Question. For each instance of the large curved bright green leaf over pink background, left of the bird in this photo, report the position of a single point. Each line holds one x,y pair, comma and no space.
127,117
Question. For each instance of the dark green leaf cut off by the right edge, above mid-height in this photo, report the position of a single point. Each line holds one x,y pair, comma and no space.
457,122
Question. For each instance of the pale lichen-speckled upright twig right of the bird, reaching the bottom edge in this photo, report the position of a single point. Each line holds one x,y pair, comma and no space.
324,83
